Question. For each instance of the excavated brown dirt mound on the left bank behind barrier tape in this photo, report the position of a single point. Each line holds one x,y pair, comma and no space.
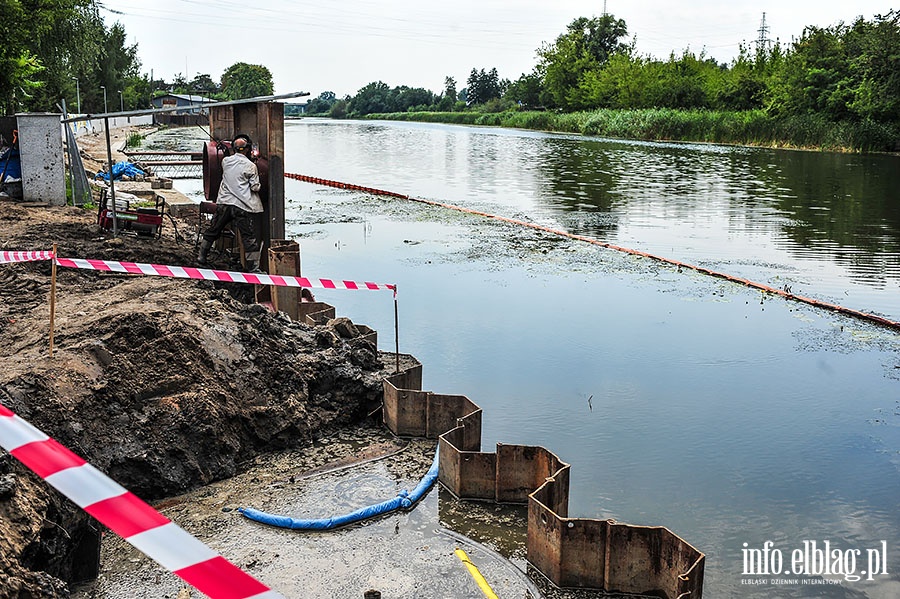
163,384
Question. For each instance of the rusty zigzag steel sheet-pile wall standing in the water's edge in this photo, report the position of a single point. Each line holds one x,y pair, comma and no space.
570,552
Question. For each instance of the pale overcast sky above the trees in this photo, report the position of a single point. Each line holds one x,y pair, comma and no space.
318,46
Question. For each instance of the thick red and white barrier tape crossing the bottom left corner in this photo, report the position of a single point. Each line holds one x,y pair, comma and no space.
126,515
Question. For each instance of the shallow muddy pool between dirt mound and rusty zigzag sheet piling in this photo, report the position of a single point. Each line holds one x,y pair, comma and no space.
406,554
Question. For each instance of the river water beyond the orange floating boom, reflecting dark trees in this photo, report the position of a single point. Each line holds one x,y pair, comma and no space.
828,225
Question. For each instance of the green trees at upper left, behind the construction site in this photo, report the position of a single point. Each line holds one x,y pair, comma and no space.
63,49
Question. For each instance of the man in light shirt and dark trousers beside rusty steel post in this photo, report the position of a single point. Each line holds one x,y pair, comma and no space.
237,202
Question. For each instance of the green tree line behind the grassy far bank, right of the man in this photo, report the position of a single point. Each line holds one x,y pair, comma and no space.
845,72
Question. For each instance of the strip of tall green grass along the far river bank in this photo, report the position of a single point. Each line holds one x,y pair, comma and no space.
753,127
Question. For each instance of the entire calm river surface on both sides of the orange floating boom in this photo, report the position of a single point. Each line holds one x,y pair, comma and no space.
731,417
